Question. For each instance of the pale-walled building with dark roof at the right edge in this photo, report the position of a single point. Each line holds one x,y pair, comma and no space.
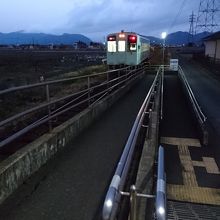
212,46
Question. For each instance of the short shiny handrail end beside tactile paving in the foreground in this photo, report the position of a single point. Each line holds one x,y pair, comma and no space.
161,211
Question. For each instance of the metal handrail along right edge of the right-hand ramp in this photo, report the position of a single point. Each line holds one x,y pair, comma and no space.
197,108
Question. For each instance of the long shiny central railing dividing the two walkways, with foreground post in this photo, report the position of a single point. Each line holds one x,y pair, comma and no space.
115,190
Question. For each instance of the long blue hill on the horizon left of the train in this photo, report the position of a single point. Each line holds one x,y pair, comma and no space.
41,38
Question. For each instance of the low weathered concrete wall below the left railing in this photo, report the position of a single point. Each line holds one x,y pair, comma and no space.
18,167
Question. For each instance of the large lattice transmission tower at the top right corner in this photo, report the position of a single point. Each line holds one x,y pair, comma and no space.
207,19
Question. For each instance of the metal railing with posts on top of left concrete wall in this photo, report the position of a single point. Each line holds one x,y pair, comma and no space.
95,87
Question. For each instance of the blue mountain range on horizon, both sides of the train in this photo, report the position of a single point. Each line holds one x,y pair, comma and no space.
17,38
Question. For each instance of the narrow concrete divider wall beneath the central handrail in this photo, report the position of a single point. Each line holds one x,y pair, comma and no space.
144,180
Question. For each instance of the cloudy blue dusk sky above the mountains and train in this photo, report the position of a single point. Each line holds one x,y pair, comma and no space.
96,18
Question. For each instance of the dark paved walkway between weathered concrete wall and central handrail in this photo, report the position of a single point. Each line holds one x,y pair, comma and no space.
73,185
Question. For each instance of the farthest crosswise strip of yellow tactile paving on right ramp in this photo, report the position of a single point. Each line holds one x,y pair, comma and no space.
180,141
